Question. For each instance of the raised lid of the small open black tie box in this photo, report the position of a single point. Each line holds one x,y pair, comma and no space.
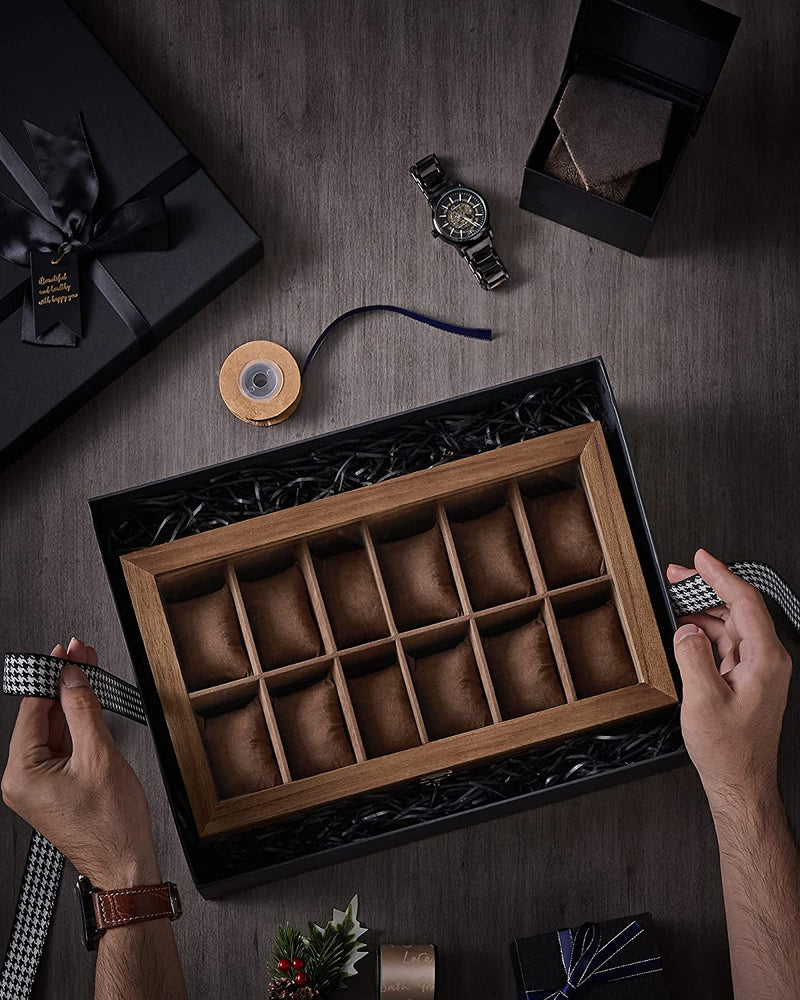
683,41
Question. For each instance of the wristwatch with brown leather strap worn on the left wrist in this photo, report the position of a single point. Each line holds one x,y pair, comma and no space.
100,910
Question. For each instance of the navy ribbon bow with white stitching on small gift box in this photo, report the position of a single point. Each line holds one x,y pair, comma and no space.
587,960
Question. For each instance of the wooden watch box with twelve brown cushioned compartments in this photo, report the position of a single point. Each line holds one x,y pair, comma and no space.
447,617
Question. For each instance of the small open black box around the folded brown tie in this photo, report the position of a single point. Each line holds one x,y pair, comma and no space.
674,49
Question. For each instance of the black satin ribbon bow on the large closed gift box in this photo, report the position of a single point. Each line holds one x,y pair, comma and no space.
66,221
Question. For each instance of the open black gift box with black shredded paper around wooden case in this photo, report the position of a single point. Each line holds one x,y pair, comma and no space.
233,491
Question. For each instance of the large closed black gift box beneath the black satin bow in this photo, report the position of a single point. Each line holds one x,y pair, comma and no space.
53,69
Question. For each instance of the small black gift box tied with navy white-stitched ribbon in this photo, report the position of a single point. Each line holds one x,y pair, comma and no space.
611,960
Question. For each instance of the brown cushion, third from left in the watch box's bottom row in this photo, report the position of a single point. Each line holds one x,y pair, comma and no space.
383,711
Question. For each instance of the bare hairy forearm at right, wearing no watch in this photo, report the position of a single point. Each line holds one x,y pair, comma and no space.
761,884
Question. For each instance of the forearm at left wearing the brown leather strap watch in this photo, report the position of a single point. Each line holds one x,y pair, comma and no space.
141,961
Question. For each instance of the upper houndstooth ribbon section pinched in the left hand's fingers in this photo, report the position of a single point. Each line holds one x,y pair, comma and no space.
37,676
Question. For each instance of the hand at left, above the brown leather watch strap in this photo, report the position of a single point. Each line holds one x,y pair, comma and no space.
66,777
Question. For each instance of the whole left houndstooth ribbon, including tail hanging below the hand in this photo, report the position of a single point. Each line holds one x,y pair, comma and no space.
37,676
